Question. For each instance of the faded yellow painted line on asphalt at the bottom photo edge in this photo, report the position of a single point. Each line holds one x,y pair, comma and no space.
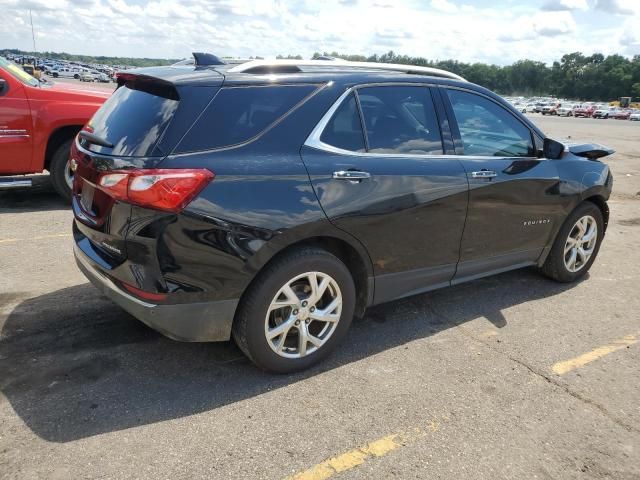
358,456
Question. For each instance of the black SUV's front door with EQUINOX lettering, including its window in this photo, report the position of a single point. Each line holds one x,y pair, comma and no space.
514,196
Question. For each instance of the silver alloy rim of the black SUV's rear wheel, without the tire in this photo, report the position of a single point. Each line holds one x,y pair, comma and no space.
303,315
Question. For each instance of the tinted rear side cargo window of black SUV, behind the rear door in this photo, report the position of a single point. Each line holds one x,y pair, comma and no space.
237,114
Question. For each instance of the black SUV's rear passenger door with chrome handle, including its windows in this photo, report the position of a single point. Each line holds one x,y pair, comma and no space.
377,166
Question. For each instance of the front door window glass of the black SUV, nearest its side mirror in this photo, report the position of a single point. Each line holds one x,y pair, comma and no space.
487,129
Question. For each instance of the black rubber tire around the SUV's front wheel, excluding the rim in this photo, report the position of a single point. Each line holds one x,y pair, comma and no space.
554,266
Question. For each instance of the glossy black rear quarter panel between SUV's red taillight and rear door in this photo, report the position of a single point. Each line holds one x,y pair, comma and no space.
260,202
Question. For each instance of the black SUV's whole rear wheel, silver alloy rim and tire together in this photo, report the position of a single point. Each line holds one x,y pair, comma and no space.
296,311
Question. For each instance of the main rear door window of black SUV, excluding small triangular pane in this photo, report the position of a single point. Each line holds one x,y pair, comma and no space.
400,120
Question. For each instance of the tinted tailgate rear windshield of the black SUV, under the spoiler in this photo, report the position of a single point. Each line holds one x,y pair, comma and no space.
133,120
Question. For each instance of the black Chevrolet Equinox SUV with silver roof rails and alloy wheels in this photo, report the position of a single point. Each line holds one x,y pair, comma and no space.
275,201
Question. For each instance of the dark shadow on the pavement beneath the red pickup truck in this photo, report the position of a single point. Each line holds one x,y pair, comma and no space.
40,197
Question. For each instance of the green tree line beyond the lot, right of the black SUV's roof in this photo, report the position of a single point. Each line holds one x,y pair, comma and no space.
575,76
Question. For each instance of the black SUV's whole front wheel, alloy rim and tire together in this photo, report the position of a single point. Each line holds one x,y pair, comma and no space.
576,245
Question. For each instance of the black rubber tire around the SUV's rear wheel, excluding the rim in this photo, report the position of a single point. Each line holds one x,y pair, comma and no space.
249,323
